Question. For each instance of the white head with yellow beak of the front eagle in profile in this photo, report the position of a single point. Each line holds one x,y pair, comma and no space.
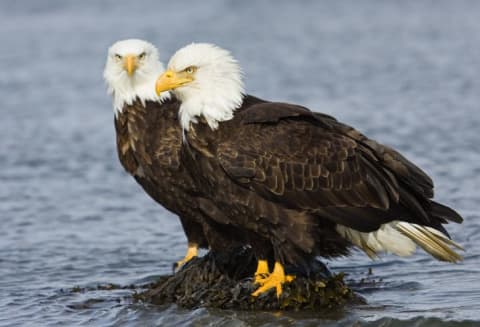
208,82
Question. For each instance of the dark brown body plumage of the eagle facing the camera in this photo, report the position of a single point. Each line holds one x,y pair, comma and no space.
149,141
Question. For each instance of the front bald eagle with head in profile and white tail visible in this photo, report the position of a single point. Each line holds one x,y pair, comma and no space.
298,184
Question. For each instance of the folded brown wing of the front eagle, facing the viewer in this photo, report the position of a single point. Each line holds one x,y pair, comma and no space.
311,162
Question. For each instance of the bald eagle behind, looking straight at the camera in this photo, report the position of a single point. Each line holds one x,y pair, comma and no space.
149,138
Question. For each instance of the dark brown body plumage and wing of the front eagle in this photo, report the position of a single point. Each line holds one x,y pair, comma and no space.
293,175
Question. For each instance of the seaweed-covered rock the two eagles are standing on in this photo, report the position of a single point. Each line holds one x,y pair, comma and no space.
225,282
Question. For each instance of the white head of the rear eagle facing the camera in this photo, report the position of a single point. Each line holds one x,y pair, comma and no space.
130,72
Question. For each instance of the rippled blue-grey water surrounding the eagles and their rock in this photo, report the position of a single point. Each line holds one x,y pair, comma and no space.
405,73
